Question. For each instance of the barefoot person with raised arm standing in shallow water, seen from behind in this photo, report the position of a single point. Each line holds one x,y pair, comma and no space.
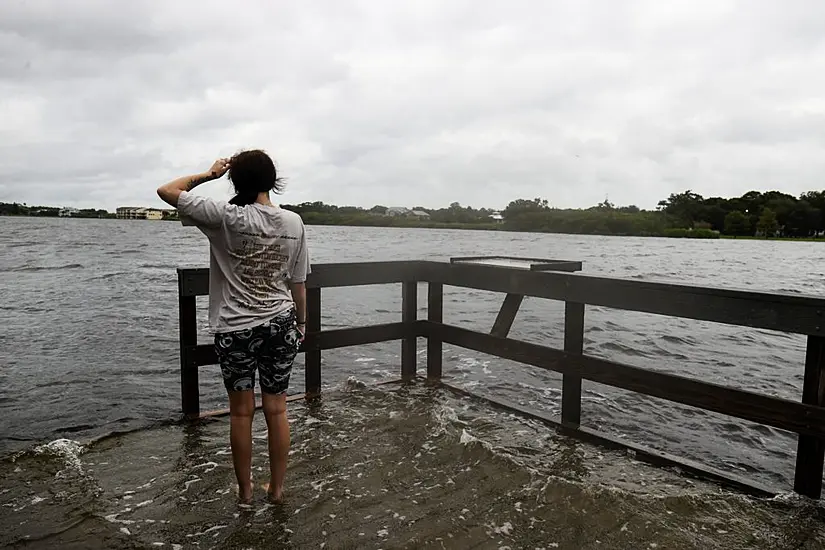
257,299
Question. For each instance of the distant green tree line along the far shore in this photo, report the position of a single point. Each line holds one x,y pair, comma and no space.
686,214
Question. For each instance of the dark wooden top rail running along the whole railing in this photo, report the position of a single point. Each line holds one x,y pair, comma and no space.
773,311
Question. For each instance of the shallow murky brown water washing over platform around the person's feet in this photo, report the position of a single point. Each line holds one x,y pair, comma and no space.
382,468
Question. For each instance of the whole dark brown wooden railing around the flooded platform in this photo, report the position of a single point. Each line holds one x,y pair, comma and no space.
778,312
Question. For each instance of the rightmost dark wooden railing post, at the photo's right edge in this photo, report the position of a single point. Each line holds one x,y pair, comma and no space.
810,451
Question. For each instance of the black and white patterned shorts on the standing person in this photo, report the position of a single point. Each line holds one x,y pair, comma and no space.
269,348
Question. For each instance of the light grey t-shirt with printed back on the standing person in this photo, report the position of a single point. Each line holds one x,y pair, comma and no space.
255,251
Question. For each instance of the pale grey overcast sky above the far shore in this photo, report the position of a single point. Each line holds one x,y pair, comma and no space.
413,103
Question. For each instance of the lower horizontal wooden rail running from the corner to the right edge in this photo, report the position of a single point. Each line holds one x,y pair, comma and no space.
772,411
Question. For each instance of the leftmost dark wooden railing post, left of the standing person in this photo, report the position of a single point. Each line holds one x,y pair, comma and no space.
188,327
